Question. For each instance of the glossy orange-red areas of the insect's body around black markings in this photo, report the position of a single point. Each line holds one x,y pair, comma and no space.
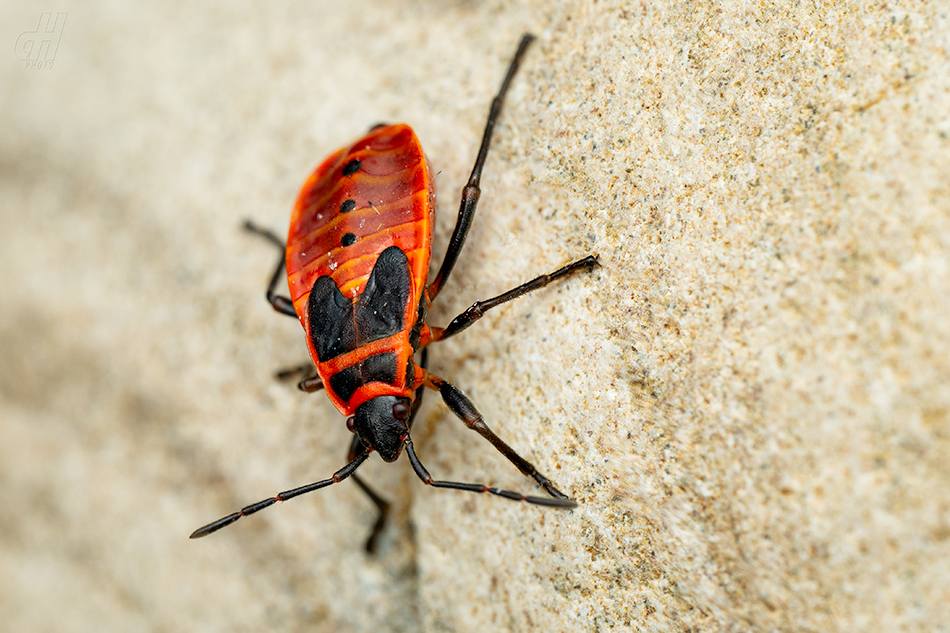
364,198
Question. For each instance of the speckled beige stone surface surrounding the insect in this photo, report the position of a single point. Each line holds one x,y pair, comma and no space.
749,399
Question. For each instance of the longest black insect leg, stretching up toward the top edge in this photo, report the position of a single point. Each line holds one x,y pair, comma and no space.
471,191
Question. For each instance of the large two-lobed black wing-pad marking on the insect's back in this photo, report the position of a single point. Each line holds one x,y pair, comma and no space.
339,325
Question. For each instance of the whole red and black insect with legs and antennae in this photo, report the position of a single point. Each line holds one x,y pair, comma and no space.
357,261
